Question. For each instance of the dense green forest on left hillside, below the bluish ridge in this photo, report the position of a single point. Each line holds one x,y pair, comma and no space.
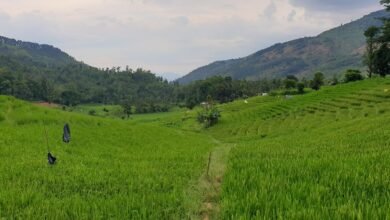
74,84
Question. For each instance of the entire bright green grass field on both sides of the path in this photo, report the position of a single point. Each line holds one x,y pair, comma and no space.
323,155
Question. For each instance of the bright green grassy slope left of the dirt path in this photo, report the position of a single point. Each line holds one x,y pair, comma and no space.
111,169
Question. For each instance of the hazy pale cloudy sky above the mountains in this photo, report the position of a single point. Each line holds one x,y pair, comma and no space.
171,35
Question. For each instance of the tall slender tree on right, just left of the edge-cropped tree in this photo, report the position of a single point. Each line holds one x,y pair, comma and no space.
370,34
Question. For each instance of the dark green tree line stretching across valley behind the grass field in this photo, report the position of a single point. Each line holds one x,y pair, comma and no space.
140,91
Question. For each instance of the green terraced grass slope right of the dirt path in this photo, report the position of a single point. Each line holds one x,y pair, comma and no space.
323,155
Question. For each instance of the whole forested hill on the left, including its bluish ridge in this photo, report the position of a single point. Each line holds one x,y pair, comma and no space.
33,71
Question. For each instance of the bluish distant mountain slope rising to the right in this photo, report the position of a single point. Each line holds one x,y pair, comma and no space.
330,52
